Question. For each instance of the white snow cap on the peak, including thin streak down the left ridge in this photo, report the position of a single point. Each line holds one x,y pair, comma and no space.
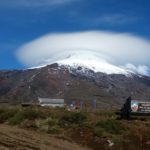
88,61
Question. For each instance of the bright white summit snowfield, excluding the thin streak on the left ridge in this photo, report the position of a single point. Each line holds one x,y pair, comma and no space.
92,63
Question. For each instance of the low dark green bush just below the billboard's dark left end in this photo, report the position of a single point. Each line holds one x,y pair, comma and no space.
111,126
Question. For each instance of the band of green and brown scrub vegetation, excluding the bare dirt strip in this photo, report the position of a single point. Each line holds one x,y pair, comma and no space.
93,128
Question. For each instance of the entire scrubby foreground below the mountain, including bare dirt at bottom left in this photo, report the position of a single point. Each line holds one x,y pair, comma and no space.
45,128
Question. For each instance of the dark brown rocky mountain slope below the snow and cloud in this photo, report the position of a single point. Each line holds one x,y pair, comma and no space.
71,83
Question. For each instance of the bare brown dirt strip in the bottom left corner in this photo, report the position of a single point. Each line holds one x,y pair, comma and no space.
13,138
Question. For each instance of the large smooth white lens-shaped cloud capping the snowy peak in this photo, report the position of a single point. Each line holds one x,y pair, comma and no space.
120,49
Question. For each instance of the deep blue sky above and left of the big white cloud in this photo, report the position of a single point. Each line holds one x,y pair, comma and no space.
22,21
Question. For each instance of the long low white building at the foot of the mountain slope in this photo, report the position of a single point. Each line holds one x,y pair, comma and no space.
51,102
